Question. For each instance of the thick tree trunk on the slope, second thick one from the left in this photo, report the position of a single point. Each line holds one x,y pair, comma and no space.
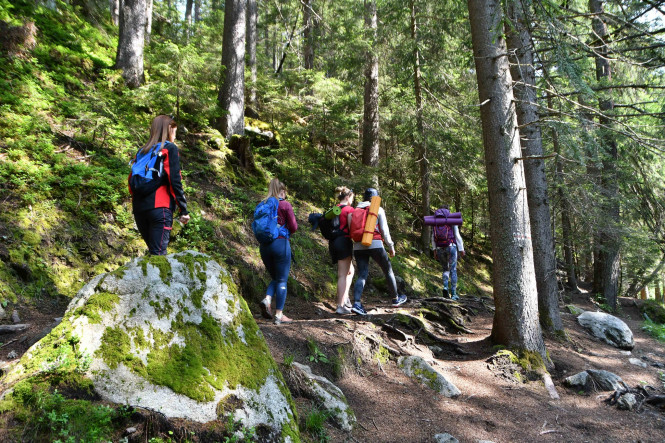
231,97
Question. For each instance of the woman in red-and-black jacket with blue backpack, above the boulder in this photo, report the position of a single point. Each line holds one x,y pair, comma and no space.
156,188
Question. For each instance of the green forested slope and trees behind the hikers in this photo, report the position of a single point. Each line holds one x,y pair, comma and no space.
381,92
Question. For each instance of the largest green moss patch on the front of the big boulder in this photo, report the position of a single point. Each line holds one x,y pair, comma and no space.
209,358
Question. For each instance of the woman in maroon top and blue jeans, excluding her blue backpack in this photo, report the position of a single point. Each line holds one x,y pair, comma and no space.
276,255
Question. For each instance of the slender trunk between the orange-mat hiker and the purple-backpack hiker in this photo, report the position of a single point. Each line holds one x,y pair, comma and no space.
421,144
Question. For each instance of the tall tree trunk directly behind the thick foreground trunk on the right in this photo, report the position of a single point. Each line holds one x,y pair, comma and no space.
518,39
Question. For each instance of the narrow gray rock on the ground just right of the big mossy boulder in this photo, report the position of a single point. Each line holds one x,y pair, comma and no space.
325,394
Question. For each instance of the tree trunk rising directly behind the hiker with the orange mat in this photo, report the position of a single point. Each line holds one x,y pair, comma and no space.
370,136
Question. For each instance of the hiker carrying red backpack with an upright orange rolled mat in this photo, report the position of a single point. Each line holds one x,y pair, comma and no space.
375,251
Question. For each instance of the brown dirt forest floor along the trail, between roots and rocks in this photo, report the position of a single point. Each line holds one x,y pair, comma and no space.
391,407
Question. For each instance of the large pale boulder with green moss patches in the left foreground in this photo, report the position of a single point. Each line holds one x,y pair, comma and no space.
170,334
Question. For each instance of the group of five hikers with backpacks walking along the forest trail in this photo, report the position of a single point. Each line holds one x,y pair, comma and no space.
155,183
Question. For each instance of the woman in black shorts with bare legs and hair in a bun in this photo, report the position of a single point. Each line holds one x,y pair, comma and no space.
341,250
